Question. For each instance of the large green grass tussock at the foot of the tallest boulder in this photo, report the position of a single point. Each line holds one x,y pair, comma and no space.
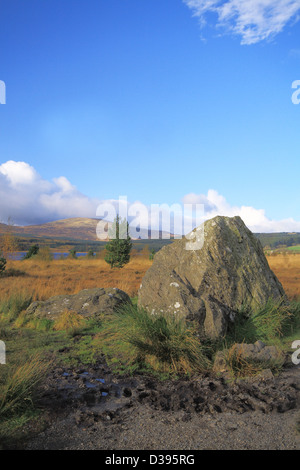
134,339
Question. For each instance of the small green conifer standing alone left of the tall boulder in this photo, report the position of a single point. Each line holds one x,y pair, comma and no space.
119,247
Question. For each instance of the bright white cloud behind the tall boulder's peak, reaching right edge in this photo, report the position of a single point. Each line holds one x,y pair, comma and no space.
255,219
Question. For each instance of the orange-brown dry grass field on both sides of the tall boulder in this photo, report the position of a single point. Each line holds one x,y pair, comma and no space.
45,279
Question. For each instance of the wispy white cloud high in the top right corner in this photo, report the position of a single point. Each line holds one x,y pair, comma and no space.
253,20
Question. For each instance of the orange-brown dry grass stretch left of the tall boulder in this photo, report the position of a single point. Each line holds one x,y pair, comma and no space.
42,279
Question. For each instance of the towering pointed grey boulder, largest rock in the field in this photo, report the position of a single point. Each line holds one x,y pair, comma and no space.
212,281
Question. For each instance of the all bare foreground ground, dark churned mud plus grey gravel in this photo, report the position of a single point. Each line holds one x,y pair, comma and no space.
91,408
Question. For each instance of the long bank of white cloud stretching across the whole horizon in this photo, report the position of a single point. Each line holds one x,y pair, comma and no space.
26,198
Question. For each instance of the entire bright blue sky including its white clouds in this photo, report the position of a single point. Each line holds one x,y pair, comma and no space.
164,101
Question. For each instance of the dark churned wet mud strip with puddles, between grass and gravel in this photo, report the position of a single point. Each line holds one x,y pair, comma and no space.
97,390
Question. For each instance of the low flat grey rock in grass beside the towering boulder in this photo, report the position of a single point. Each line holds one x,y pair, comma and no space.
88,303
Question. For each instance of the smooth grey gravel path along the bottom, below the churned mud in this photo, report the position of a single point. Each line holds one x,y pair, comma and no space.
148,430
